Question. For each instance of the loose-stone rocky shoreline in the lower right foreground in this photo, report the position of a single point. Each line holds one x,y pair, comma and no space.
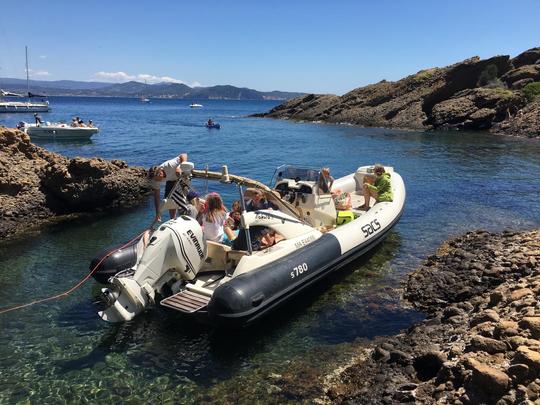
480,342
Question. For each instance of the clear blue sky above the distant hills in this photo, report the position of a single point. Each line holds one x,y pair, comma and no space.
308,46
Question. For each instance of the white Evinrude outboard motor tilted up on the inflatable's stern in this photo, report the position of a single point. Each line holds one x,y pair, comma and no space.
175,251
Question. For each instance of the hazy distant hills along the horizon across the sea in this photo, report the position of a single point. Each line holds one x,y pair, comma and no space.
137,89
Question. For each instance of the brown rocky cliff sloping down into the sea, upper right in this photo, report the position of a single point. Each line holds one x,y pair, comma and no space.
473,94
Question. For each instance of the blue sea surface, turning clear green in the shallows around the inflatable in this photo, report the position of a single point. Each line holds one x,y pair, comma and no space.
61,352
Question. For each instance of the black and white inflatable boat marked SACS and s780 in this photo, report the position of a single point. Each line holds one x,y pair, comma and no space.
176,268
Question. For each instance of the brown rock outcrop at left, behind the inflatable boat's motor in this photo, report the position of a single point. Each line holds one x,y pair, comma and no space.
37,186
